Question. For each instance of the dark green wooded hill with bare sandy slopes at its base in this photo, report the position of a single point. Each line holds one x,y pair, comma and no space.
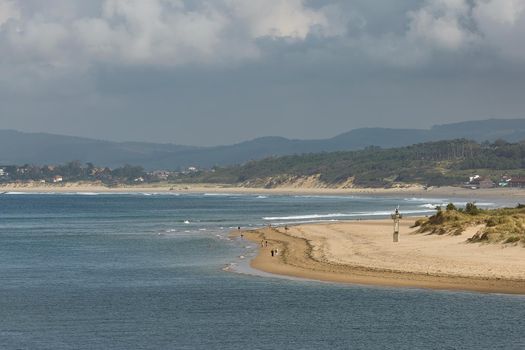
432,163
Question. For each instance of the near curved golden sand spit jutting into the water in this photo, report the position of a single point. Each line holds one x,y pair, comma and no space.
362,252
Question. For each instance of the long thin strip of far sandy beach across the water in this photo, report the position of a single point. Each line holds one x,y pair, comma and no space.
414,191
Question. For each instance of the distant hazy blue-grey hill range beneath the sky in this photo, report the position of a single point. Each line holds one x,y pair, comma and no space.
40,148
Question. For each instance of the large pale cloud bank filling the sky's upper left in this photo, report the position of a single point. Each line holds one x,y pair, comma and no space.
158,32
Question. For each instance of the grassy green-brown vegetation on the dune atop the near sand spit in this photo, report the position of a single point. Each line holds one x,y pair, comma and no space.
504,225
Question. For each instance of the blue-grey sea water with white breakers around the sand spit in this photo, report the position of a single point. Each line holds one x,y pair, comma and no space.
147,271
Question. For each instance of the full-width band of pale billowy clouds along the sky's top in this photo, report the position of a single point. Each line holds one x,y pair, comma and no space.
177,32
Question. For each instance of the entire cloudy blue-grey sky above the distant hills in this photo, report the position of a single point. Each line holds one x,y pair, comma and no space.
209,72
